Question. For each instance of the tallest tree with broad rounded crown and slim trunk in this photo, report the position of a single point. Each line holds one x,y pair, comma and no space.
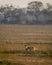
35,7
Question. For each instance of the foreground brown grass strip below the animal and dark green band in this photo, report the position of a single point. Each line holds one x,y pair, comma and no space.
23,60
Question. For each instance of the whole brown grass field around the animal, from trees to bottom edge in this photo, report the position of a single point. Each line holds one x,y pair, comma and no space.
15,37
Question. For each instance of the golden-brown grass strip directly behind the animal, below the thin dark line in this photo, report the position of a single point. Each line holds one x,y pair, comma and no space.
21,46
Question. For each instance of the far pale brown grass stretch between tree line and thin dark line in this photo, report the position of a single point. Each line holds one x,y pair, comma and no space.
25,33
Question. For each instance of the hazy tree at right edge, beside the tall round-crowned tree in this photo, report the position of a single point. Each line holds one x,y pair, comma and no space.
48,13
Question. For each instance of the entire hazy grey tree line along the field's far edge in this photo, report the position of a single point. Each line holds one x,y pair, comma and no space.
35,13
